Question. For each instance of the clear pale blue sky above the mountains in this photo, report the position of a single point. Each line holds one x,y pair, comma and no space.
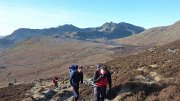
38,14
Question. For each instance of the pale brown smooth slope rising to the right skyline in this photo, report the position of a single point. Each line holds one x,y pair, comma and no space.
154,36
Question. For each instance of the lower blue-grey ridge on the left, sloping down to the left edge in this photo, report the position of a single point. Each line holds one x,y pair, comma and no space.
22,34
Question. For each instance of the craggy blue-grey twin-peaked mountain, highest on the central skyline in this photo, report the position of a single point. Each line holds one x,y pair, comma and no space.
111,31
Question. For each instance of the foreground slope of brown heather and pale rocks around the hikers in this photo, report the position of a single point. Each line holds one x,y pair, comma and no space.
153,75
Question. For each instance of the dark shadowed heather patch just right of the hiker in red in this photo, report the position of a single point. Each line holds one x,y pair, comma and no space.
135,88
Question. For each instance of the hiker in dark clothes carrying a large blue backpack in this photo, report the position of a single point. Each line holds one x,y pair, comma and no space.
76,77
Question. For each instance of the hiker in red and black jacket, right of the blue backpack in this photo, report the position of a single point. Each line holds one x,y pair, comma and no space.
101,78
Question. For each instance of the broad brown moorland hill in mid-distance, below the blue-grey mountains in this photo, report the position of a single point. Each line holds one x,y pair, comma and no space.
44,57
